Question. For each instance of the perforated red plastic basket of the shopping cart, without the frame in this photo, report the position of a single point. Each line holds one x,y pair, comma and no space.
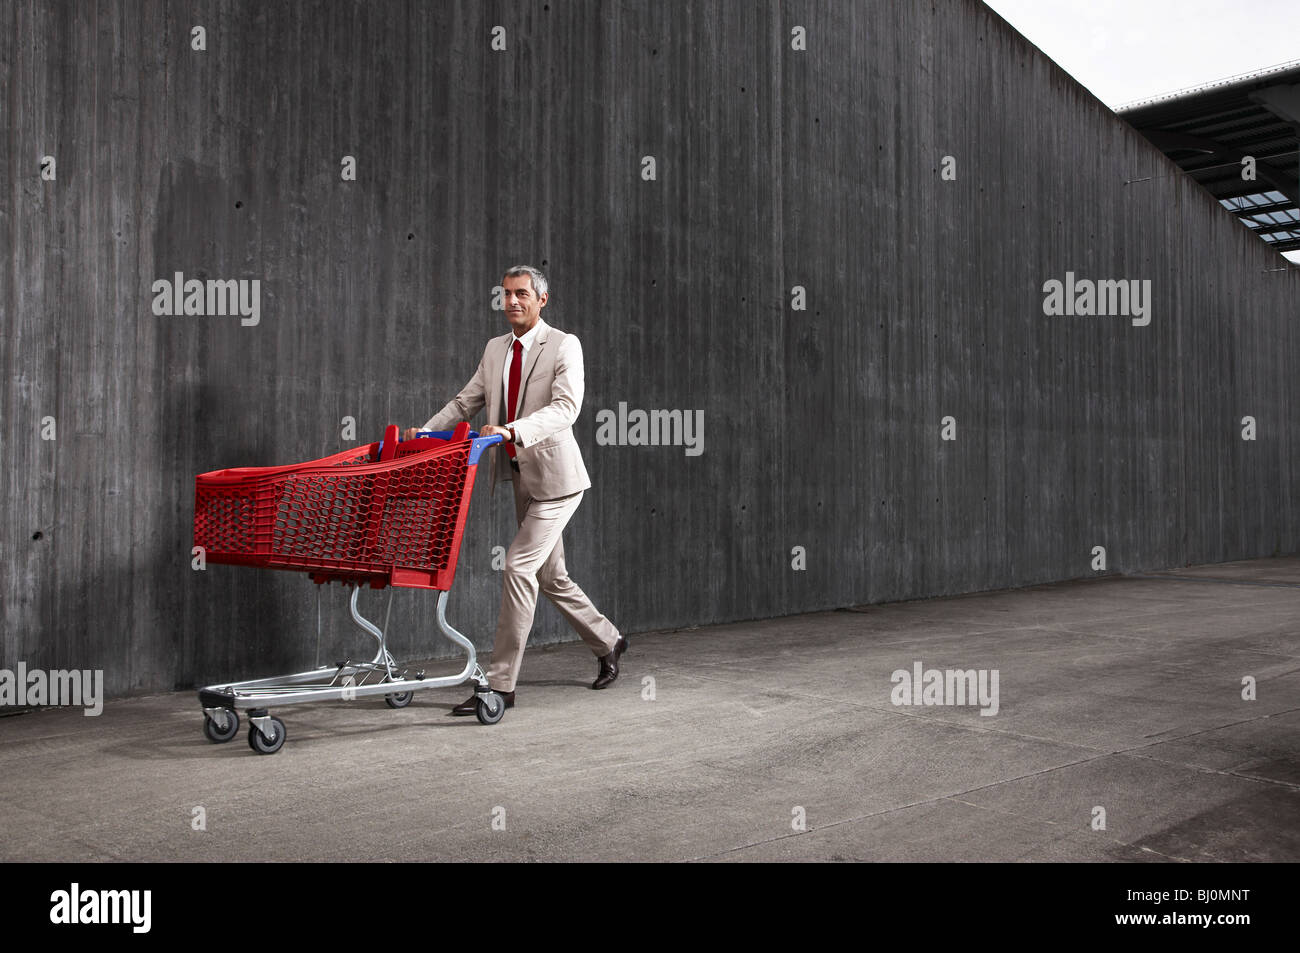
389,514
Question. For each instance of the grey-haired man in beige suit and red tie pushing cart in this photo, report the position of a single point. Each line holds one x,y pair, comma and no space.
531,380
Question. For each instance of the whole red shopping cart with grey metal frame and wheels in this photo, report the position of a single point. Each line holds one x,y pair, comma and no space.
391,514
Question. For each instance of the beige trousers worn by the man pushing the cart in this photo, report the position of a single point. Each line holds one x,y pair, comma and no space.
536,561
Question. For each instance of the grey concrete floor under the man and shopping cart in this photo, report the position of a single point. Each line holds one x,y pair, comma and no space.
1123,694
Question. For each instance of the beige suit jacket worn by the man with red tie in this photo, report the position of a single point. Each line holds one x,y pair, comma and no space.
551,397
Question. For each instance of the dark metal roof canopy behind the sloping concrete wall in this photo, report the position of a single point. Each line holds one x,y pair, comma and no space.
1211,129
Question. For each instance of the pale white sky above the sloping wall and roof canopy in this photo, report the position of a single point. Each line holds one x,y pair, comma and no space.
1129,50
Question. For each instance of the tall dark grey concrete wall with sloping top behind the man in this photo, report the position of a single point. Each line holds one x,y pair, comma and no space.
775,168
